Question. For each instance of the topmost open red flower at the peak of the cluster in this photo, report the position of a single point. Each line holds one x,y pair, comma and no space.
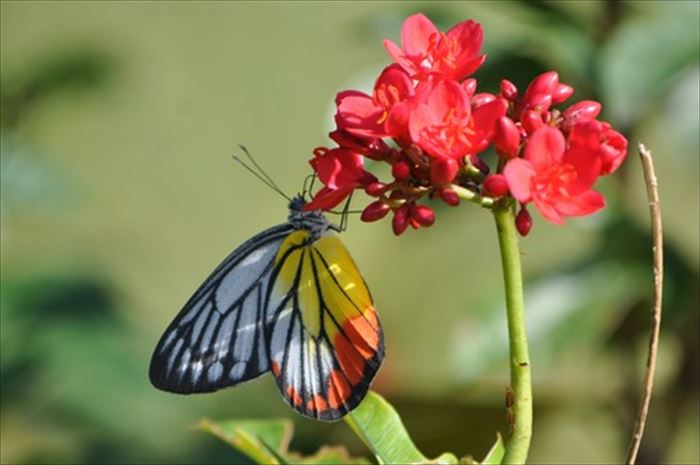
427,51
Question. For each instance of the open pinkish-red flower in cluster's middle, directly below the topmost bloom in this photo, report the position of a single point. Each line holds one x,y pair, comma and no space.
444,126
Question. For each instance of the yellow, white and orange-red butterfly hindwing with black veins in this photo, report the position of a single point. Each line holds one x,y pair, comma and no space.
326,343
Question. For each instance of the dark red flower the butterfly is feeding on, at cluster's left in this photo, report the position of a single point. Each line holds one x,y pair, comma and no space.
341,171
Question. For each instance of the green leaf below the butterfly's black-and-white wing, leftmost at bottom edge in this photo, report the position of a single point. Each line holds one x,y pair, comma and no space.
264,441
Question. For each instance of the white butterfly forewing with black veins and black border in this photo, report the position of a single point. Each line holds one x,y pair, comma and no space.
218,338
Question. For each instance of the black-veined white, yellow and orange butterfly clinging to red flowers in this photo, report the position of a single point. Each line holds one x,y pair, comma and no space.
291,301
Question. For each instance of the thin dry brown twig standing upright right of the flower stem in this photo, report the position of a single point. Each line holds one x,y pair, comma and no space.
658,252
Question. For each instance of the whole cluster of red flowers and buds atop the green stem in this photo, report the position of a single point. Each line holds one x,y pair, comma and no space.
426,119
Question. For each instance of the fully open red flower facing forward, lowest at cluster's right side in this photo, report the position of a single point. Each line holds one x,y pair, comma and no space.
556,179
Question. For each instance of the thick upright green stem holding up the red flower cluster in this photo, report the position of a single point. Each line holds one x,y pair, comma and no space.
519,397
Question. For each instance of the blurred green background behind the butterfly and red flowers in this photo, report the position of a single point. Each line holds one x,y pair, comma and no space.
119,196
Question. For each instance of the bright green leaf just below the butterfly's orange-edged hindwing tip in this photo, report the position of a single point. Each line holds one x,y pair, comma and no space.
379,426
